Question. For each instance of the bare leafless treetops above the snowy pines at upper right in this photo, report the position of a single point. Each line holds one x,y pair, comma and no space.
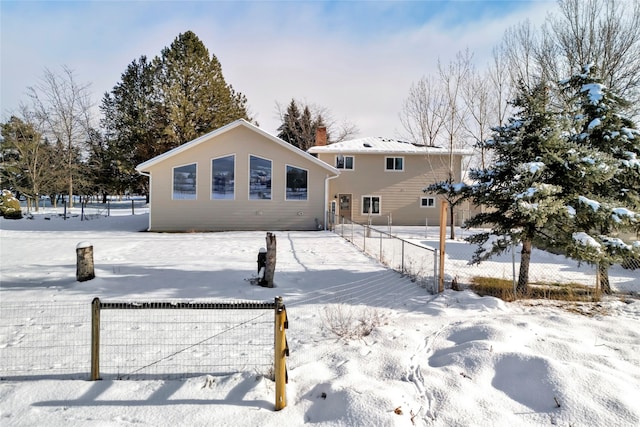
604,33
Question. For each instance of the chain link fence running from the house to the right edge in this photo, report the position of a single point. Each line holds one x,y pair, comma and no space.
414,250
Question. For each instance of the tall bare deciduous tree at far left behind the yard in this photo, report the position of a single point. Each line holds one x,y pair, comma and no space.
62,106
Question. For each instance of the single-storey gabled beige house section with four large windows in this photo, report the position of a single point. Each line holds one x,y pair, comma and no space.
237,177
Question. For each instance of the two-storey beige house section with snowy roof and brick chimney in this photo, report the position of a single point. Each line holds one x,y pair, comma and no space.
383,179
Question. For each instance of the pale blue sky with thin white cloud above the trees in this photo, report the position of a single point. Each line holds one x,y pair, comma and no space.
356,58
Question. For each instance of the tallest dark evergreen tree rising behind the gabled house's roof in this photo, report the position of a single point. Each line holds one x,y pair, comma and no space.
162,103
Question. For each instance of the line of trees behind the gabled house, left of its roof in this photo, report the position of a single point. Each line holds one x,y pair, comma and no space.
53,146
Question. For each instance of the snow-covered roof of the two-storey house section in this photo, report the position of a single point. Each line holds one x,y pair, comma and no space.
379,145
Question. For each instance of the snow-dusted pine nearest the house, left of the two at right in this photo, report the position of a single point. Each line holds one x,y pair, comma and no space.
522,190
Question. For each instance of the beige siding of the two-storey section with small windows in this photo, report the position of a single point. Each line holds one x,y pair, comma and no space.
400,191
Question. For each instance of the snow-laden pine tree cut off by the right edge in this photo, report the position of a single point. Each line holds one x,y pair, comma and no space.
605,197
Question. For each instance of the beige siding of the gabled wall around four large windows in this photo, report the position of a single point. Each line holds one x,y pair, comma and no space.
205,214
